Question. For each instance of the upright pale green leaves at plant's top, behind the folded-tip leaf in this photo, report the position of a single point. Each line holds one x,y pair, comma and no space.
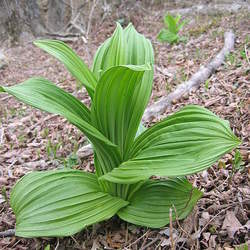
127,47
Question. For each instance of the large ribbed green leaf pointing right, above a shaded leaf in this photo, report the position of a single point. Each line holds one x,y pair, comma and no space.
187,142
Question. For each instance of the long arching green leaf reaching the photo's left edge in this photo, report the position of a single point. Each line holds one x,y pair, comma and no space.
44,95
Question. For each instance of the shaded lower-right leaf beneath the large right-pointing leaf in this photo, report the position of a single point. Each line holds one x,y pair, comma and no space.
149,206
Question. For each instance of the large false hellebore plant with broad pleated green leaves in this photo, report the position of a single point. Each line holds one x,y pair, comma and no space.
126,155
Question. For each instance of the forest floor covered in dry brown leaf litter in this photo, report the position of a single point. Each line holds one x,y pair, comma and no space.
34,140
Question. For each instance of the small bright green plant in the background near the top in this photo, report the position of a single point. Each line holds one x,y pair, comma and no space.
172,27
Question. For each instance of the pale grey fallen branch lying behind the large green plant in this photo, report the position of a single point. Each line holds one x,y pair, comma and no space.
199,77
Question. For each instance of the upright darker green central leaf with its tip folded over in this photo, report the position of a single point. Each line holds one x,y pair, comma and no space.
119,103
